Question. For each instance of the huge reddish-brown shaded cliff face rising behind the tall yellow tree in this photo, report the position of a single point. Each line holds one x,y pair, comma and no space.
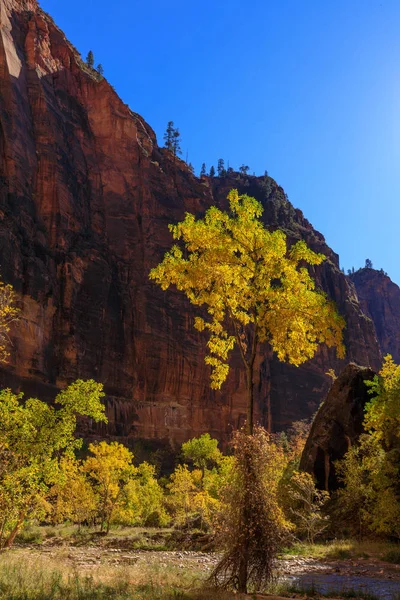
86,196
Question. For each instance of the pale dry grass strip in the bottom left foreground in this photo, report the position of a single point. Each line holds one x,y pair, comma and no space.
27,575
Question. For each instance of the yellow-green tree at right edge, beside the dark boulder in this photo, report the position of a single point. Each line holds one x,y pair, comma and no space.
370,497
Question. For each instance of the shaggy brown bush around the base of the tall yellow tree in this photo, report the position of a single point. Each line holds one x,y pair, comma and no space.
252,526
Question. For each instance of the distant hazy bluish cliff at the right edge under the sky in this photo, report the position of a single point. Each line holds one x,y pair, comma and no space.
379,298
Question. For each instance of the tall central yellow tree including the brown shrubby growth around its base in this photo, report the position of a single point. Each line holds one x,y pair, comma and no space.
255,290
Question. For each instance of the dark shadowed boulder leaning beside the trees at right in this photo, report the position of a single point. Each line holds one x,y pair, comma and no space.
337,425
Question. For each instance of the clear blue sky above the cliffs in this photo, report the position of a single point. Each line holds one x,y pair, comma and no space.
308,90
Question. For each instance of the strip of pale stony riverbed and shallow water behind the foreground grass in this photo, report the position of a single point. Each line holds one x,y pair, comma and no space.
369,575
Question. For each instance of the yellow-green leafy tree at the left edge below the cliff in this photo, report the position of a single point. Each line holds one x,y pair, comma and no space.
34,438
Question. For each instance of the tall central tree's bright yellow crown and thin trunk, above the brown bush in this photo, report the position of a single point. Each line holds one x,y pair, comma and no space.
255,289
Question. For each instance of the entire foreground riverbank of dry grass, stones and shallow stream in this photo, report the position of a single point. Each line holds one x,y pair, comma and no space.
137,566
